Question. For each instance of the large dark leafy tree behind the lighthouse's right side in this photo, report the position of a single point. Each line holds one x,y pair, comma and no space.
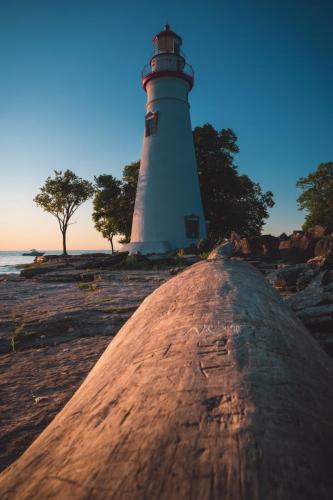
231,202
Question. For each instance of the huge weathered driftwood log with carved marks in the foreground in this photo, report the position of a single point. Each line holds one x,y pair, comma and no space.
212,390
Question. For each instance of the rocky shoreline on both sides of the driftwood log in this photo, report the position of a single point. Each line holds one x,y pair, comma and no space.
58,316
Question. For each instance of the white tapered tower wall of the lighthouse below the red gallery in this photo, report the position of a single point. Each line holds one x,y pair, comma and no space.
168,187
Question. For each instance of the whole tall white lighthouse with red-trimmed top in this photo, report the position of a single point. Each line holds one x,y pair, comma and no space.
168,211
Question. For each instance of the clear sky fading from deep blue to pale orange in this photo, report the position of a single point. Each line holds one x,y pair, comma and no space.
71,96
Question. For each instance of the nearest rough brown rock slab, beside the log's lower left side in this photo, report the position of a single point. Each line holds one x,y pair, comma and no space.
35,385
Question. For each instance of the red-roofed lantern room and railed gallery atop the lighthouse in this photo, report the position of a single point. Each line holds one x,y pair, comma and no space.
167,59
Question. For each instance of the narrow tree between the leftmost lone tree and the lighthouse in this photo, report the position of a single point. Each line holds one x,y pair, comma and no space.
107,204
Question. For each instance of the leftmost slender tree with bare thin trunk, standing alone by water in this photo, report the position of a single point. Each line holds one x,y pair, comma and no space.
61,196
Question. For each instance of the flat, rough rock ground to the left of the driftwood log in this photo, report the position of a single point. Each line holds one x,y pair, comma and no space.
60,331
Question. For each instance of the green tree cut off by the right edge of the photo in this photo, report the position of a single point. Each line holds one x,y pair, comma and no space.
317,197
